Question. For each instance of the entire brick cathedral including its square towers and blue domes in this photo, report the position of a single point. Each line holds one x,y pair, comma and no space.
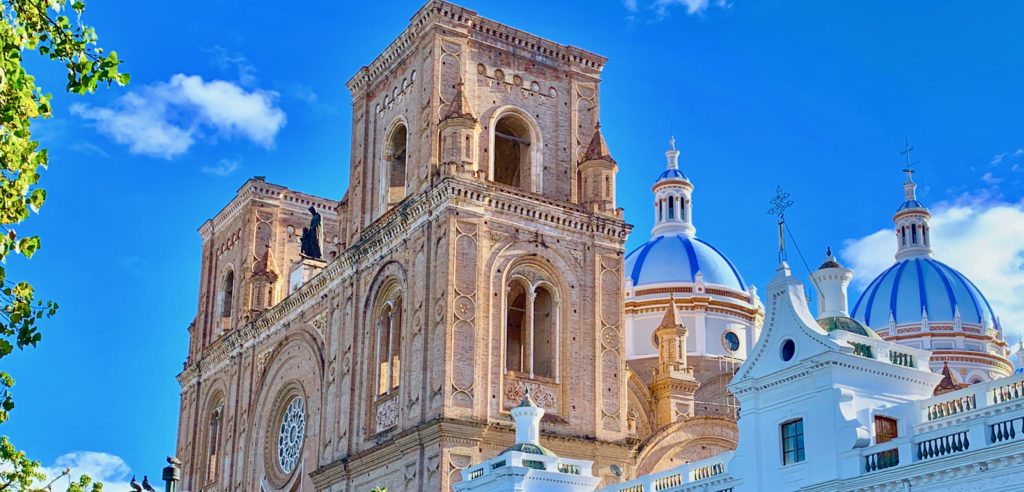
475,275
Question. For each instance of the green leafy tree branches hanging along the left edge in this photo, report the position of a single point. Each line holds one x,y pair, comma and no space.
55,30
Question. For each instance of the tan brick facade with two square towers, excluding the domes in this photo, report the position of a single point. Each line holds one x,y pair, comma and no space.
467,143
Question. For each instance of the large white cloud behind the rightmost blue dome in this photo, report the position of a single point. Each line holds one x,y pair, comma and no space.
983,239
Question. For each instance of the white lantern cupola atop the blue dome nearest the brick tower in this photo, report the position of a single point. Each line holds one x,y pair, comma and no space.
673,213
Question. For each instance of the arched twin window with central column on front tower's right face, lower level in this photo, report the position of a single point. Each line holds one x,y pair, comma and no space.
532,326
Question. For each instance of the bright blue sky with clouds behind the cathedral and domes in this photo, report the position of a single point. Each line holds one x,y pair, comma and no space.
817,97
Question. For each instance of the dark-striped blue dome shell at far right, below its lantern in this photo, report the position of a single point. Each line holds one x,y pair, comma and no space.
914,284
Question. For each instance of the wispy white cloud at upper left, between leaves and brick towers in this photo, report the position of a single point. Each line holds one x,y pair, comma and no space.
165,119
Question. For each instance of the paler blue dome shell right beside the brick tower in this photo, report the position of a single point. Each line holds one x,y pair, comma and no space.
678,259
